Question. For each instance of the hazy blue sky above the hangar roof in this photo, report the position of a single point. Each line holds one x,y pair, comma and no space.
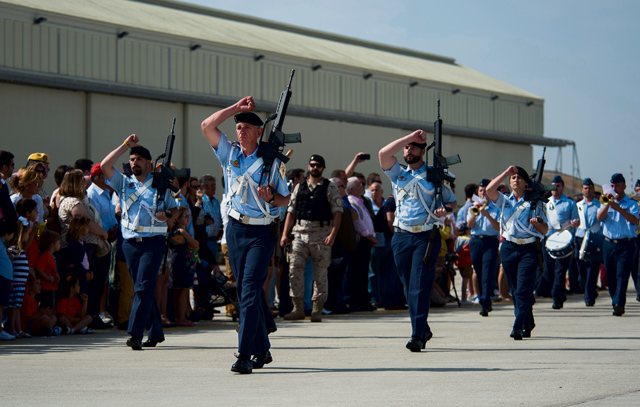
582,57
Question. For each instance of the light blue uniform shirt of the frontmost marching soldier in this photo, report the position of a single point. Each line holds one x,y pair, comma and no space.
235,164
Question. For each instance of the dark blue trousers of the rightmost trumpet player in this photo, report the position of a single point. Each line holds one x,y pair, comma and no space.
618,261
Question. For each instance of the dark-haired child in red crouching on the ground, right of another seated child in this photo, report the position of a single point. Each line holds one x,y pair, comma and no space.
70,312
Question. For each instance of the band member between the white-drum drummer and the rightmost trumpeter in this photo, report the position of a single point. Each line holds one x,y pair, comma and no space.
588,269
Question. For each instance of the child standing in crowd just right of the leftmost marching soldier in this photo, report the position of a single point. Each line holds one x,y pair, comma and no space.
185,259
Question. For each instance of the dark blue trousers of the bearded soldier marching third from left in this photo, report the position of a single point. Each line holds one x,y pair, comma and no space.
416,276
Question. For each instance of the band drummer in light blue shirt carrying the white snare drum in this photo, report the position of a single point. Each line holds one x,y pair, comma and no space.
563,215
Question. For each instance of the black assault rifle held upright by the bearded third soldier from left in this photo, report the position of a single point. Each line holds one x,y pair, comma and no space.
438,174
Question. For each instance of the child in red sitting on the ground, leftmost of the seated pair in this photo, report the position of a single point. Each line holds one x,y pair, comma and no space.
34,322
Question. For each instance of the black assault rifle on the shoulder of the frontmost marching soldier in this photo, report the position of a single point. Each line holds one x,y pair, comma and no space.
272,149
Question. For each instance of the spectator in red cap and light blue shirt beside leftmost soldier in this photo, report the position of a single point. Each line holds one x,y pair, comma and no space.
99,195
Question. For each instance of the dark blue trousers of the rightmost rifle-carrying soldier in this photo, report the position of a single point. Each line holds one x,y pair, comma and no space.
520,263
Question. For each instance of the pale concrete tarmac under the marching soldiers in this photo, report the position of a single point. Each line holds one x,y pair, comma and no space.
576,356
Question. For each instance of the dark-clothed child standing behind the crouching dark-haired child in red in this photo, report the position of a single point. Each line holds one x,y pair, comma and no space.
78,259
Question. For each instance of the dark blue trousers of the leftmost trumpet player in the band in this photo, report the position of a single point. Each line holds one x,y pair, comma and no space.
484,256
